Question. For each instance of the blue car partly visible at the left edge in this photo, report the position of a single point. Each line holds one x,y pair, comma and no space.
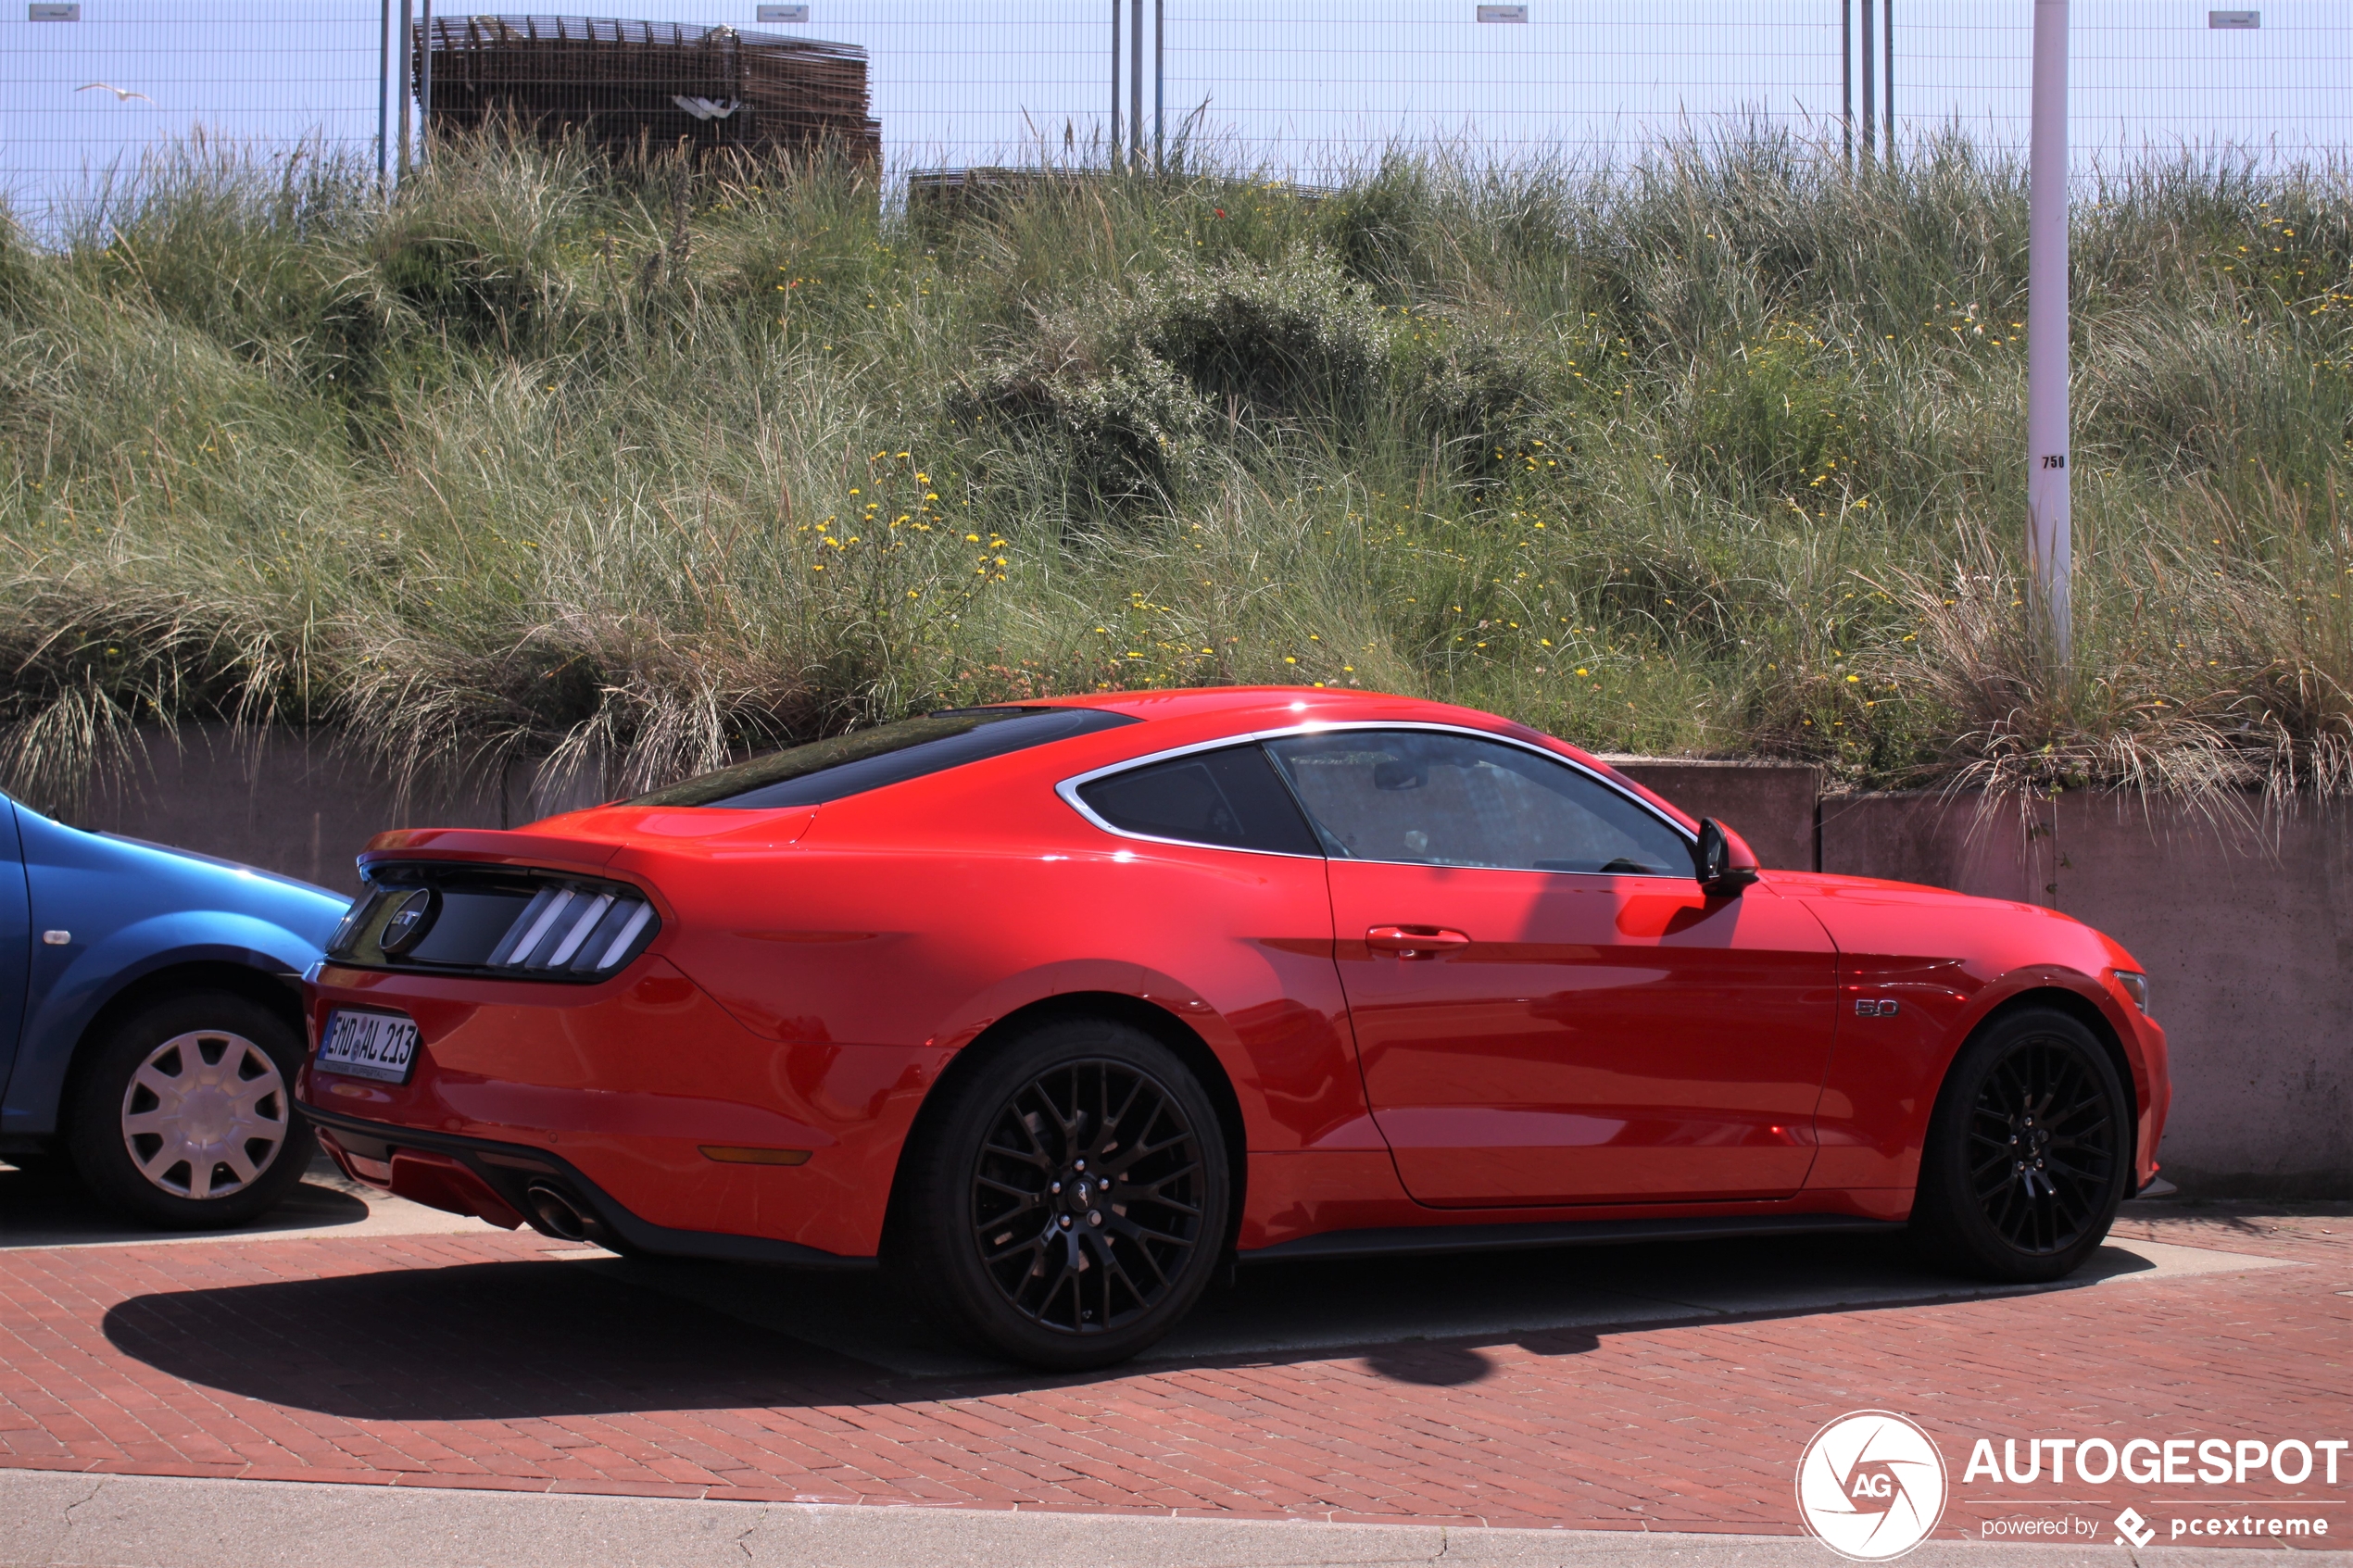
152,1021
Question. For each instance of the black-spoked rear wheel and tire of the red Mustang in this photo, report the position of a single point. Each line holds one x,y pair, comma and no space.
1067,1205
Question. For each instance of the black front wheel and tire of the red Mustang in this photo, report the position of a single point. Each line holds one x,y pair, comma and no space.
2029,1153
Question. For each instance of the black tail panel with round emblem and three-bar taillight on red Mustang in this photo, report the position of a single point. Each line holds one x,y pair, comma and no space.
502,923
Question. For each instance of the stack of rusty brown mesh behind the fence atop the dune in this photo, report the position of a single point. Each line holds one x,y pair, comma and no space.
648,83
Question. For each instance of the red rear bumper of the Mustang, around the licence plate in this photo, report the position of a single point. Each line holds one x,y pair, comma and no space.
629,1085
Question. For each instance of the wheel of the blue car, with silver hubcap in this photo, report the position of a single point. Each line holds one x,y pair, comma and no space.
185,1115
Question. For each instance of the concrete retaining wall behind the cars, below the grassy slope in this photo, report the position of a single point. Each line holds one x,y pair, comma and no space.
2248,934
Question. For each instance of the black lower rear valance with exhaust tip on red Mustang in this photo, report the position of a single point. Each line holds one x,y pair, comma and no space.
493,1181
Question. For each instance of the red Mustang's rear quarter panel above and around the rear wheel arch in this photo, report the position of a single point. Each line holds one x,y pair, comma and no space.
931,949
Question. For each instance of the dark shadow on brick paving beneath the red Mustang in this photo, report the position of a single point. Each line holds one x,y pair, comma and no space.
585,1336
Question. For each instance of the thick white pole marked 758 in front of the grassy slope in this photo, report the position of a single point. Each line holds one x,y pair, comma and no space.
2048,530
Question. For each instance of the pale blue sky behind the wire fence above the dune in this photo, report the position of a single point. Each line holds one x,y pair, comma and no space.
1302,83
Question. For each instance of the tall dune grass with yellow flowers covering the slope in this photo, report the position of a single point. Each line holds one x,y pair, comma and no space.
651,467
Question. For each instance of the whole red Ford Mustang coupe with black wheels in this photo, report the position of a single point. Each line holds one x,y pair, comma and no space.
1058,1007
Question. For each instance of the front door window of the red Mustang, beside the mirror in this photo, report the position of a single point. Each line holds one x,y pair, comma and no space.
1434,798
